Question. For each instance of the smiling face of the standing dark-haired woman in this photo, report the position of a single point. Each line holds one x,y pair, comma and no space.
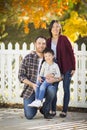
55,29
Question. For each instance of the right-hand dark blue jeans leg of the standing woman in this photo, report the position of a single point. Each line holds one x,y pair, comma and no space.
66,88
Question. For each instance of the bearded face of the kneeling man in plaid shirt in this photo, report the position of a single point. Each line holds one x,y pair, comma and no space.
40,45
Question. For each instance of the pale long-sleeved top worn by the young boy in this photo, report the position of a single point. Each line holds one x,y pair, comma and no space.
49,69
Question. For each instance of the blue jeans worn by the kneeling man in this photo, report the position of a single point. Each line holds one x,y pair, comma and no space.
30,112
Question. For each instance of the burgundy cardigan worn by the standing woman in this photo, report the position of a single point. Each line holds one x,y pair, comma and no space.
65,55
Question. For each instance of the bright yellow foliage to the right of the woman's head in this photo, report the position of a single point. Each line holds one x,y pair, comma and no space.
75,26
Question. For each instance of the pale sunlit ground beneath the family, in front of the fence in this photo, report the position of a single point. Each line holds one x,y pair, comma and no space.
13,119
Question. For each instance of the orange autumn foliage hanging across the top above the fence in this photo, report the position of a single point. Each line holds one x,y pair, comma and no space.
38,12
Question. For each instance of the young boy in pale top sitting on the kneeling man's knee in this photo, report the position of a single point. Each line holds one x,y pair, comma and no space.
49,69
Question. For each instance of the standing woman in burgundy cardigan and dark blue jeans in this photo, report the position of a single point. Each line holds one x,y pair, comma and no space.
65,58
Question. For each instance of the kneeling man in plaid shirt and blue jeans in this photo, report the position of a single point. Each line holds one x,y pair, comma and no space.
28,73
